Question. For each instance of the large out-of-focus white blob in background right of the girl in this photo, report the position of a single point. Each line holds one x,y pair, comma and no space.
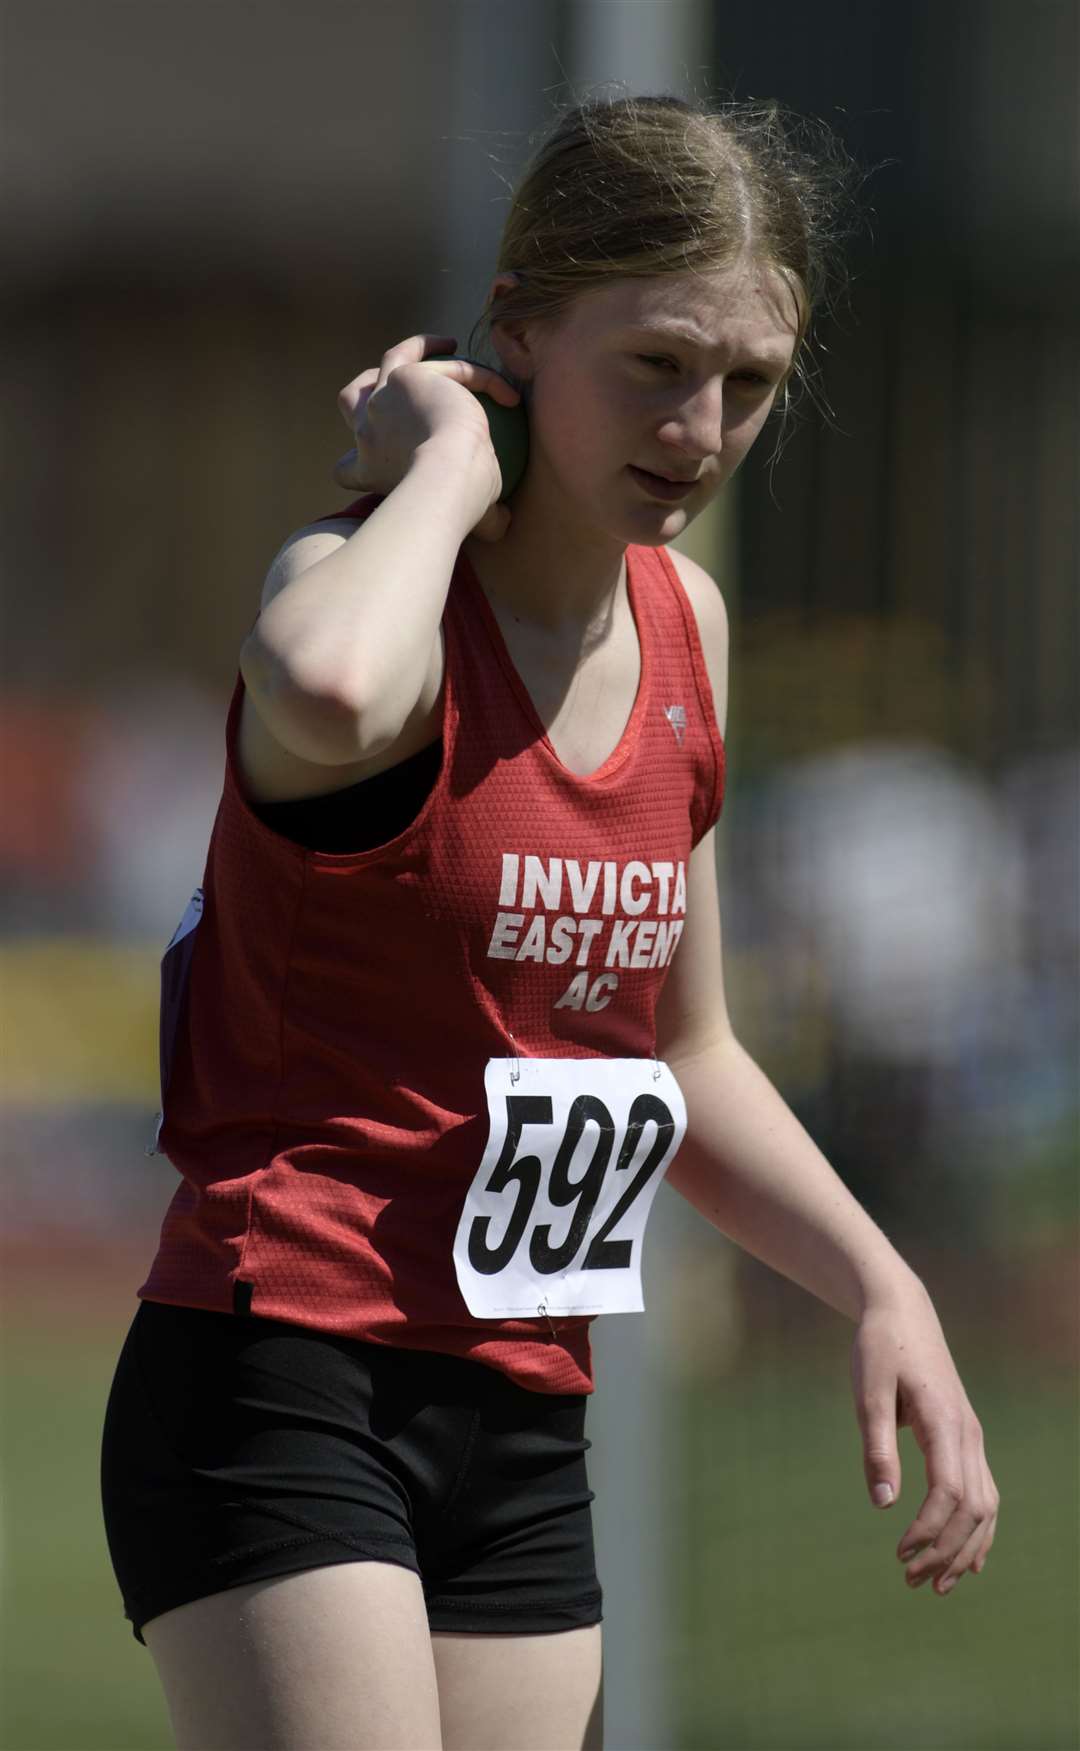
911,883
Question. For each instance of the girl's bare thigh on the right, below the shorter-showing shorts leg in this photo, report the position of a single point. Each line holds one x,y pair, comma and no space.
521,1692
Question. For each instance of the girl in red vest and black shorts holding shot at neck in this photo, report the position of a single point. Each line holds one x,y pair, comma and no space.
451,1002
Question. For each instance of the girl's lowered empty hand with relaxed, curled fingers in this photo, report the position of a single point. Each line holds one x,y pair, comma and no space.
904,1374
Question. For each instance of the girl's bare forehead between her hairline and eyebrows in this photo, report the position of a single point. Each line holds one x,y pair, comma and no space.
724,309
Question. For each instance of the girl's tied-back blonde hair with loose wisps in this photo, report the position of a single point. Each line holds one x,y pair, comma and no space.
638,186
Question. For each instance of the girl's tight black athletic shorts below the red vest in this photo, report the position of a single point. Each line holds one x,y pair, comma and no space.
239,1449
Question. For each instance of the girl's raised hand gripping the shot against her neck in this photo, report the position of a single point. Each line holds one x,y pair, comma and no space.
412,400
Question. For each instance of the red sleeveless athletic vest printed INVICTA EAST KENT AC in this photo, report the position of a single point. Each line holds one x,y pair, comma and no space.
328,1020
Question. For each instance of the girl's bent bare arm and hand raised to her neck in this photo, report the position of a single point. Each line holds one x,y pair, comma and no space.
349,631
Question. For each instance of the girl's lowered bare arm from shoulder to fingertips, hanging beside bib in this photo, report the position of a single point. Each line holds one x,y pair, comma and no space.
752,1171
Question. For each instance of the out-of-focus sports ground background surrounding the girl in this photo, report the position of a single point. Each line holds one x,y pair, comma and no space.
218,214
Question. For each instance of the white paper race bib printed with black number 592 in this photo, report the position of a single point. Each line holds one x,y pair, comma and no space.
554,1221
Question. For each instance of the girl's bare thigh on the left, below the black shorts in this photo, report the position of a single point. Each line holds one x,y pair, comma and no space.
335,1659
